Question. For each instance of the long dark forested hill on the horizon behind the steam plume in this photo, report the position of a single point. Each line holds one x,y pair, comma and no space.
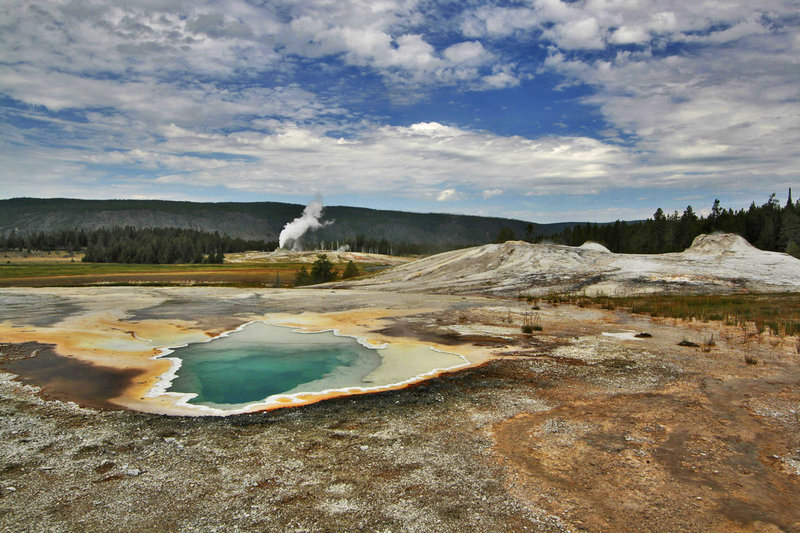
258,221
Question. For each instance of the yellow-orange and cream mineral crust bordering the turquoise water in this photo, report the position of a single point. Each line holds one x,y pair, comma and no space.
106,336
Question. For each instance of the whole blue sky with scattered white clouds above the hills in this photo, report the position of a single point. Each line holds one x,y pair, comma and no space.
543,110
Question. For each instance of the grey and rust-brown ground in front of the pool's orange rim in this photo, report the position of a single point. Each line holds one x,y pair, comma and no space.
569,431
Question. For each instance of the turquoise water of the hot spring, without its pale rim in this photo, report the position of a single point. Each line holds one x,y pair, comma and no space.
263,360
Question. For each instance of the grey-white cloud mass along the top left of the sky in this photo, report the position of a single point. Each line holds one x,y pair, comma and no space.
147,43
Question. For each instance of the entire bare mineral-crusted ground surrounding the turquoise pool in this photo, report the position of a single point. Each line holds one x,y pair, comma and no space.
581,426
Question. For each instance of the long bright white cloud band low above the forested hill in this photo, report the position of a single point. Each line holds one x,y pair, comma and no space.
419,161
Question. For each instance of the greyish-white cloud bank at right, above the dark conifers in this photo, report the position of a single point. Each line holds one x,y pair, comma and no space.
729,114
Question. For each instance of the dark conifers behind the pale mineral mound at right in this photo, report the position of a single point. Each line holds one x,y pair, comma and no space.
770,226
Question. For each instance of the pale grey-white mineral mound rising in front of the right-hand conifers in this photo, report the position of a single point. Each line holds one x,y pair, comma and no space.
714,263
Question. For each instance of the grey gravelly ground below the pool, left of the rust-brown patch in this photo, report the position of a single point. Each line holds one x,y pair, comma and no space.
419,459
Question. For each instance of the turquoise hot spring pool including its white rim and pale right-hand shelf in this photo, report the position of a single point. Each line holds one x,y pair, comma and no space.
263,364
